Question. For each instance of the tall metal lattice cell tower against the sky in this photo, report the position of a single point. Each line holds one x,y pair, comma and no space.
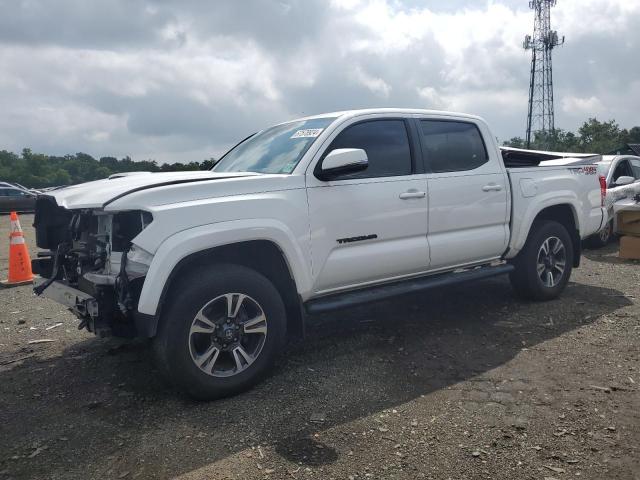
544,40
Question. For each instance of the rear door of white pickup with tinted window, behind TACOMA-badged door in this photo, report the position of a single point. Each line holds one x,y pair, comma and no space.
468,203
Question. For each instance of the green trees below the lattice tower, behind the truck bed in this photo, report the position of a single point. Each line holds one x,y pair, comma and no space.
593,136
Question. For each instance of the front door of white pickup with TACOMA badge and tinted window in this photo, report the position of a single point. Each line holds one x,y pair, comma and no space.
371,225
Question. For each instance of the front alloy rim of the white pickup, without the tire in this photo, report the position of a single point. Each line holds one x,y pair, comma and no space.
227,334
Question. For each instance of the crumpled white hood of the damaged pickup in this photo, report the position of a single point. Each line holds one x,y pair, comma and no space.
100,193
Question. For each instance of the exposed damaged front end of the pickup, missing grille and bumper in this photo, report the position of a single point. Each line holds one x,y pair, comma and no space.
91,265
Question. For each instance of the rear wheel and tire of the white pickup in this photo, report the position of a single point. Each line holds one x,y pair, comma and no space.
543,267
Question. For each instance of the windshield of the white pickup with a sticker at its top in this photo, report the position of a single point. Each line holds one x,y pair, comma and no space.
274,150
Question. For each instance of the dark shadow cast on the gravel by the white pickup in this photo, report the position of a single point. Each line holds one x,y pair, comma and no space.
100,408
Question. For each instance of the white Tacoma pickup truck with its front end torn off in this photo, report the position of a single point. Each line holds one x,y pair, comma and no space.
307,216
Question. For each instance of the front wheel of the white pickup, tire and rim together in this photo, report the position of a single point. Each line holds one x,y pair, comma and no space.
221,332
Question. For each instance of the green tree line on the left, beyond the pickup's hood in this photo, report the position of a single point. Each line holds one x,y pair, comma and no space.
37,170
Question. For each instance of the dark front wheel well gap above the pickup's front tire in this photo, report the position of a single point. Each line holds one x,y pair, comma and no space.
262,256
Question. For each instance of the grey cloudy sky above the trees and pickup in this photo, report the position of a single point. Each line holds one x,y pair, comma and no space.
181,80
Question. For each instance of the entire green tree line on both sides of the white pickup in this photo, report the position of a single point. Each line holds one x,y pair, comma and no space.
38,170
